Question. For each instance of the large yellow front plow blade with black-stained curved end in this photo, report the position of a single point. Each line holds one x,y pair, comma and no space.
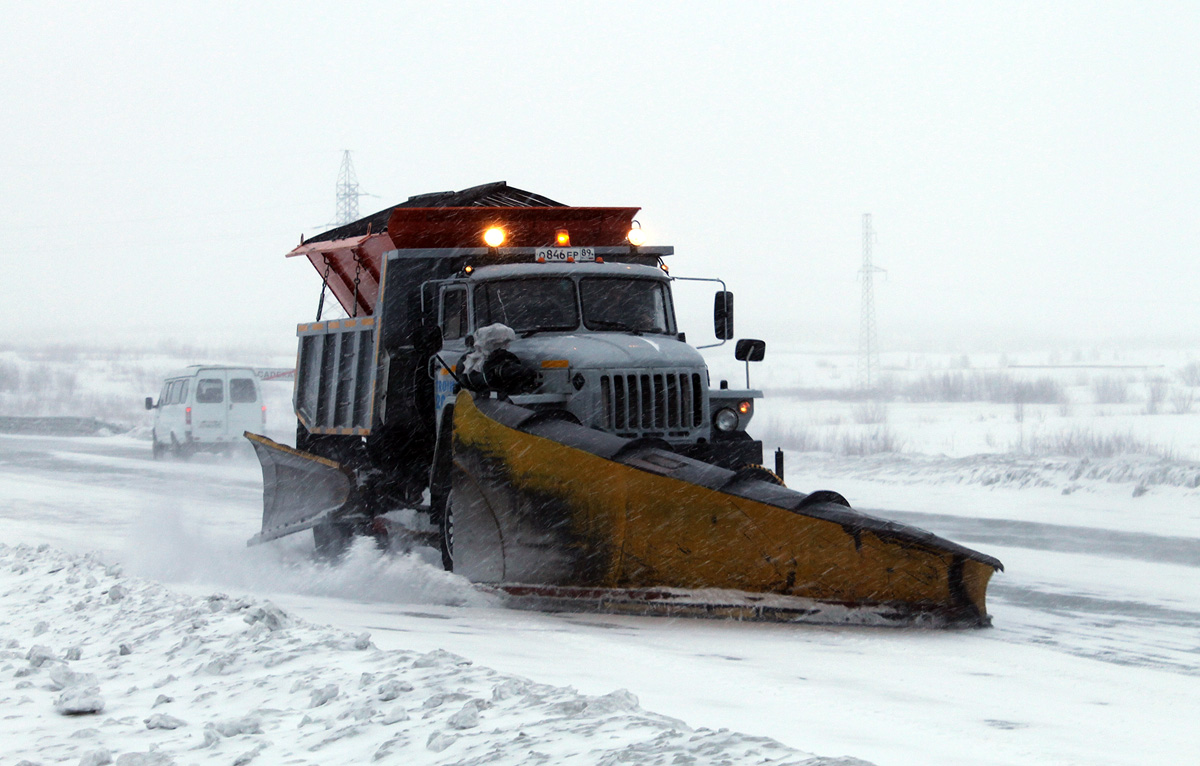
550,511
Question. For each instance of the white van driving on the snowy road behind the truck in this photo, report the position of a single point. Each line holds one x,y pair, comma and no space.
206,409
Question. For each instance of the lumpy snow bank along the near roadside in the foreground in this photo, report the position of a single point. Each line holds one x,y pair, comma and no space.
101,668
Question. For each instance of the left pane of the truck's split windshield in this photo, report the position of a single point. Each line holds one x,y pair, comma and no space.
527,304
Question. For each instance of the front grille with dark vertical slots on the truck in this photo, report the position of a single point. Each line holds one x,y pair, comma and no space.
663,404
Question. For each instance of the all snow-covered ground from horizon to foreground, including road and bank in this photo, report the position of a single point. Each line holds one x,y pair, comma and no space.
128,591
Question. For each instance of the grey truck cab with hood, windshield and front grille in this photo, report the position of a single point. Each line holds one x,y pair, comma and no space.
605,346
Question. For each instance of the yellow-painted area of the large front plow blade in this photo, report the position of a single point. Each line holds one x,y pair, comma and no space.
646,530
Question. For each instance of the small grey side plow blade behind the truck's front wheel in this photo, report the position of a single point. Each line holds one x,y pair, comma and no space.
301,490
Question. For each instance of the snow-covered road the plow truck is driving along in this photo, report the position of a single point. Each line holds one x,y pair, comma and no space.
1095,656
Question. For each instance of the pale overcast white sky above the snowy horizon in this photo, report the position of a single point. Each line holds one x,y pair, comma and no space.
1033,170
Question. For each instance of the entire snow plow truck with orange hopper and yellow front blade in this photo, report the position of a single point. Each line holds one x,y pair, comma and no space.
511,372
